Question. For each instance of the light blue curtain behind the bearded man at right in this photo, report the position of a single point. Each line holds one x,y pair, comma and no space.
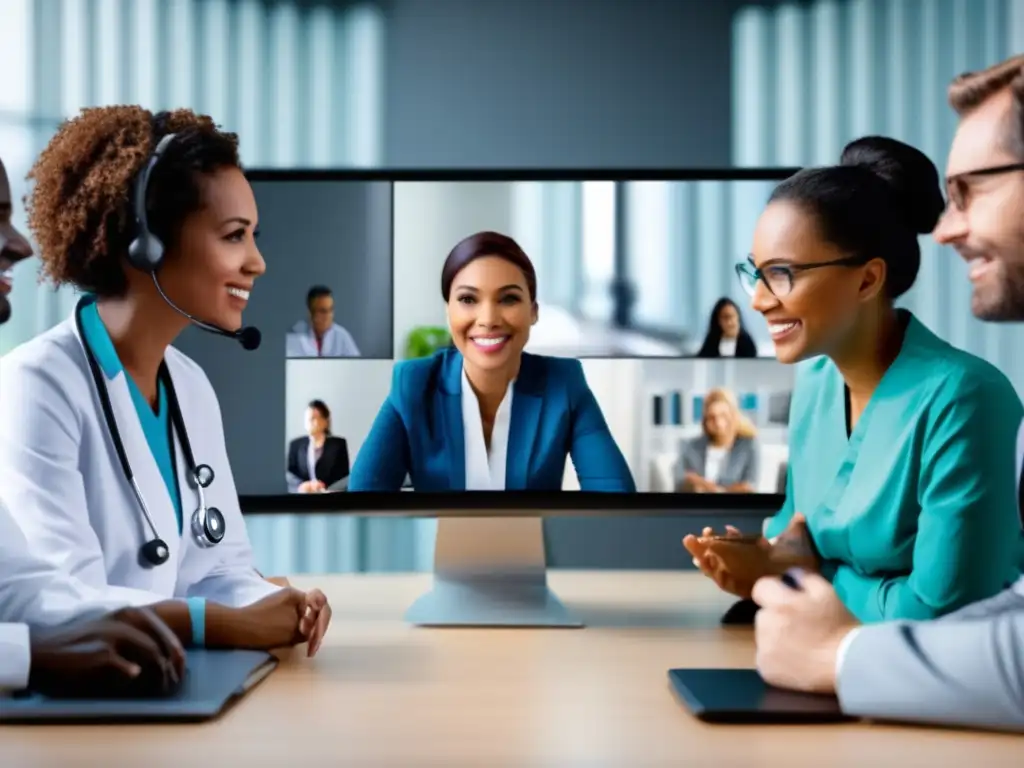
807,79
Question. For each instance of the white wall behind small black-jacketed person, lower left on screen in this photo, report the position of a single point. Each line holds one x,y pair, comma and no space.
353,390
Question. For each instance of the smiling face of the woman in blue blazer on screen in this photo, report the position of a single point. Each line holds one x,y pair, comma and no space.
490,314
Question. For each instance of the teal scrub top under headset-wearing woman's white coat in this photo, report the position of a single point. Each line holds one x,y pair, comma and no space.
156,424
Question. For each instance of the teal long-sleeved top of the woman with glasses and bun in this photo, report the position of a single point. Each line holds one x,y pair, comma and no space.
916,513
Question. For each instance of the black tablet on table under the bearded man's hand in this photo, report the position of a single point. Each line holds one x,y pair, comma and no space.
742,697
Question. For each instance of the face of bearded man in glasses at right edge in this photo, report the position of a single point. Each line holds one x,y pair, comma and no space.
988,230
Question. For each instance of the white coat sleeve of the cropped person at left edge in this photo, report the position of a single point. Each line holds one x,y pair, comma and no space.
34,592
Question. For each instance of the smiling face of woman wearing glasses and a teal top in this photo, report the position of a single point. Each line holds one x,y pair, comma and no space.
824,307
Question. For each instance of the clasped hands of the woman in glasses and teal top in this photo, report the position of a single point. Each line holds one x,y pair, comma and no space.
736,563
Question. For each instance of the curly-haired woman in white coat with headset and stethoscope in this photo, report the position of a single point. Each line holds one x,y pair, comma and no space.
113,458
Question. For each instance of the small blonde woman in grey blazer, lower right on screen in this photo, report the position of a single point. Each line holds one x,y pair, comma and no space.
727,457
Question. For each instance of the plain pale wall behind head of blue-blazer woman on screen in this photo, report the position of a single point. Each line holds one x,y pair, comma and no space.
431,218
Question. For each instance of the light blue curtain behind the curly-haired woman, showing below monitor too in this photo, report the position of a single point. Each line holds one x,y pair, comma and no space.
302,83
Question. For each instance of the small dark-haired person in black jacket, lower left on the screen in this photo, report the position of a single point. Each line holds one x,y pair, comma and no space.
319,460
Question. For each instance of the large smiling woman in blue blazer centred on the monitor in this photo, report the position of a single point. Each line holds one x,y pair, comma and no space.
484,415
